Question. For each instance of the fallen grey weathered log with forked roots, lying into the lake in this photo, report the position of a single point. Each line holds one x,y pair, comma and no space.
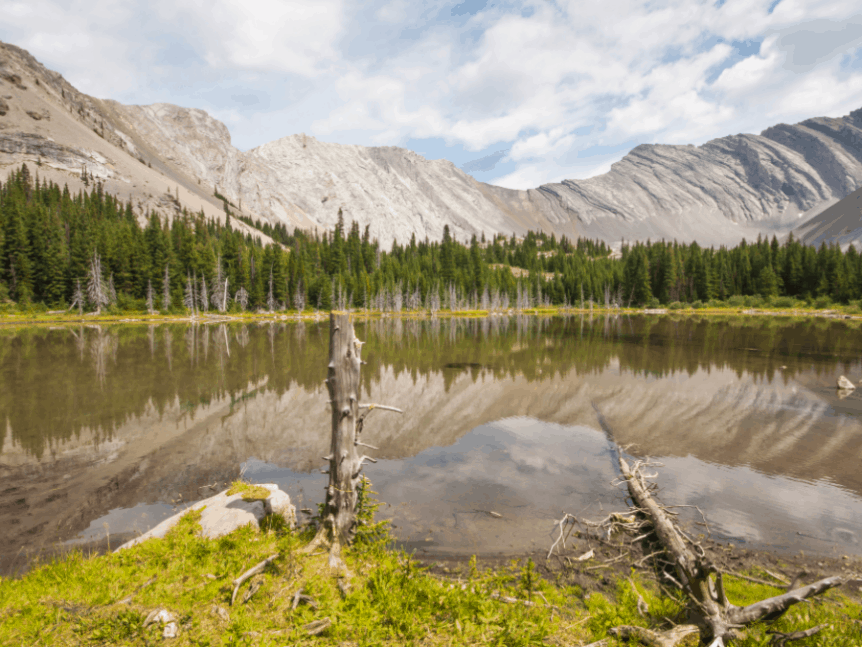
709,609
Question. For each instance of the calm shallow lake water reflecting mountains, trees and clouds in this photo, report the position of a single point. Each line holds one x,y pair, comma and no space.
108,430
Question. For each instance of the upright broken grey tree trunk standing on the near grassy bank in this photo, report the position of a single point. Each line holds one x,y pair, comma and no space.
337,523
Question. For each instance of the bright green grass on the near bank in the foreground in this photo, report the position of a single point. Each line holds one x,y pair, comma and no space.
83,600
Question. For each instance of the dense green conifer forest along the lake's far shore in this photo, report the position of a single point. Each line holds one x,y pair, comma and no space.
89,250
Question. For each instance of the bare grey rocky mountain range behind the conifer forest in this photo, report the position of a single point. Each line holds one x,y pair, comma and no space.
165,157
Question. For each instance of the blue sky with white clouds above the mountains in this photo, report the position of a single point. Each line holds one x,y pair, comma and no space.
517,93
